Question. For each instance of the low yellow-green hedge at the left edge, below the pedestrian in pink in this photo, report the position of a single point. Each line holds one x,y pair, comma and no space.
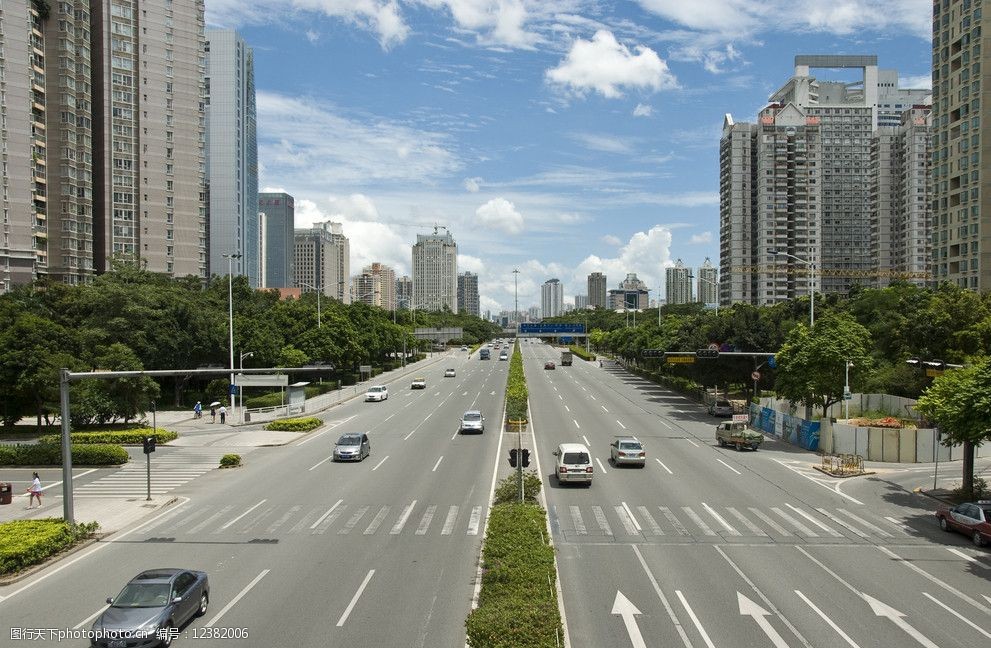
29,542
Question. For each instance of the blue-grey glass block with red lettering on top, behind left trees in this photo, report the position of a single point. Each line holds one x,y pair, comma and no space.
276,235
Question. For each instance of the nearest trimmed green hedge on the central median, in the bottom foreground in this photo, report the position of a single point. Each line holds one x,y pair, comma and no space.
517,604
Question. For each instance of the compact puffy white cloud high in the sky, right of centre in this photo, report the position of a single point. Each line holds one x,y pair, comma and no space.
605,65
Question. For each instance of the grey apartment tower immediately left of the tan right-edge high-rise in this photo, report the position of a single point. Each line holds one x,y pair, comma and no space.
901,211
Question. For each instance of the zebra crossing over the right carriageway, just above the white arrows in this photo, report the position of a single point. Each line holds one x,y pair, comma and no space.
705,522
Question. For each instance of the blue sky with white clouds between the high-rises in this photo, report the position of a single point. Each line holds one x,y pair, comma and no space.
559,137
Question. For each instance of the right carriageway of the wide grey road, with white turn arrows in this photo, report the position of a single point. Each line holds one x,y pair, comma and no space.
707,547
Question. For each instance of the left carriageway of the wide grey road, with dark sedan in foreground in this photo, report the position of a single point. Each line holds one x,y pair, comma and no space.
307,552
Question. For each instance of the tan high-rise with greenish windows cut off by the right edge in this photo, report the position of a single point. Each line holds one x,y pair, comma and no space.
961,190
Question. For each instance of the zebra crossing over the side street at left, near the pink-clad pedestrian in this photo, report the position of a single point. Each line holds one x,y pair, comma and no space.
169,470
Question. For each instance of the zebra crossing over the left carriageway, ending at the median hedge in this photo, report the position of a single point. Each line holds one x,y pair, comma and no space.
265,520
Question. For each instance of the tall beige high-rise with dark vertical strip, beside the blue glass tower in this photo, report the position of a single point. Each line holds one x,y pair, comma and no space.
148,134
